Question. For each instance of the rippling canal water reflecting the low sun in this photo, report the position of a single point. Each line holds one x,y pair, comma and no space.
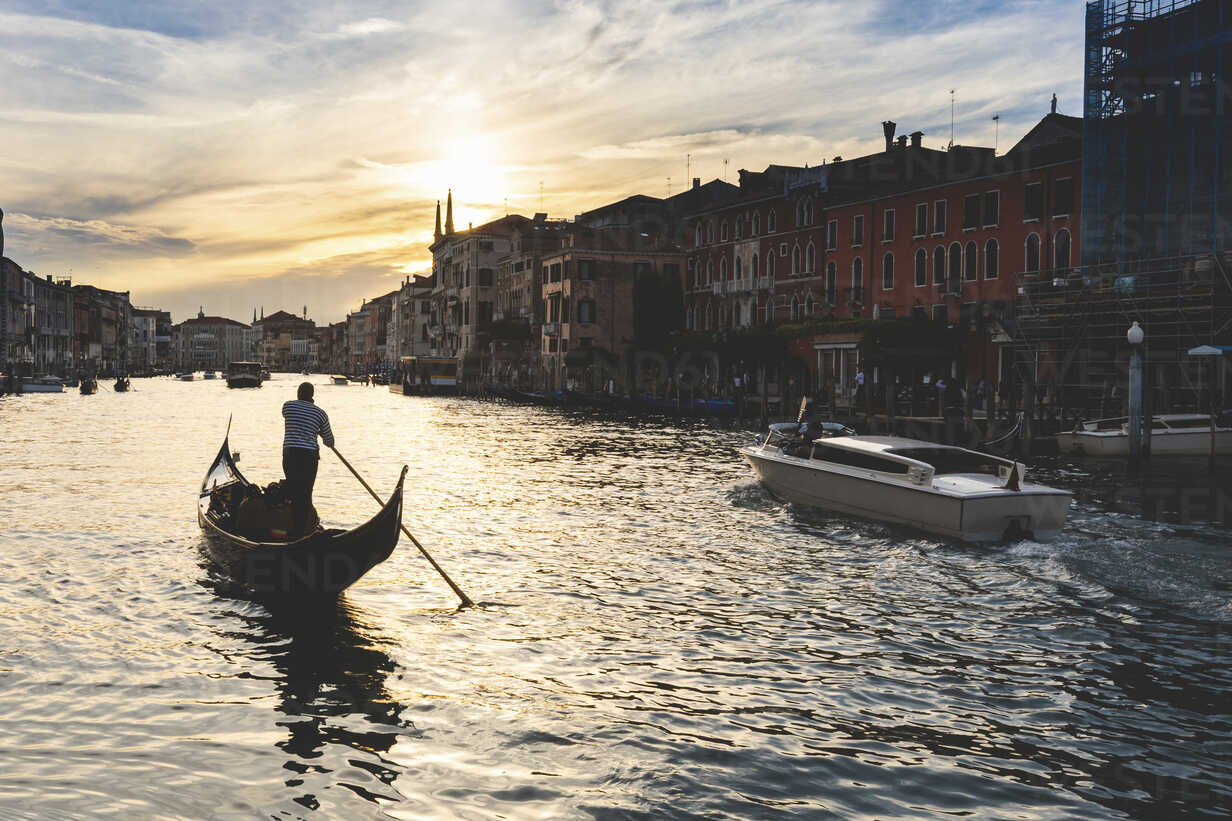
657,637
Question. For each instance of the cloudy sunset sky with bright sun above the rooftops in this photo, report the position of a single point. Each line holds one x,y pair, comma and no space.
232,156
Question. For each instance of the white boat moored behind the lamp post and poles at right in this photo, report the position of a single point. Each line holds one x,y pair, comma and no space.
1175,435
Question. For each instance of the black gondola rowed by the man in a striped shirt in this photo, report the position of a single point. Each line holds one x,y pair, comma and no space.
325,563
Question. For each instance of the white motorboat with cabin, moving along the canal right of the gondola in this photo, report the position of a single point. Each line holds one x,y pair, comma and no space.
939,489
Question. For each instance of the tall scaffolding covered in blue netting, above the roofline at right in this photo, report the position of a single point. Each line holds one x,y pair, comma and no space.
1155,135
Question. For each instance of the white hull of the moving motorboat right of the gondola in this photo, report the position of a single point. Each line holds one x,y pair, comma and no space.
987,518
